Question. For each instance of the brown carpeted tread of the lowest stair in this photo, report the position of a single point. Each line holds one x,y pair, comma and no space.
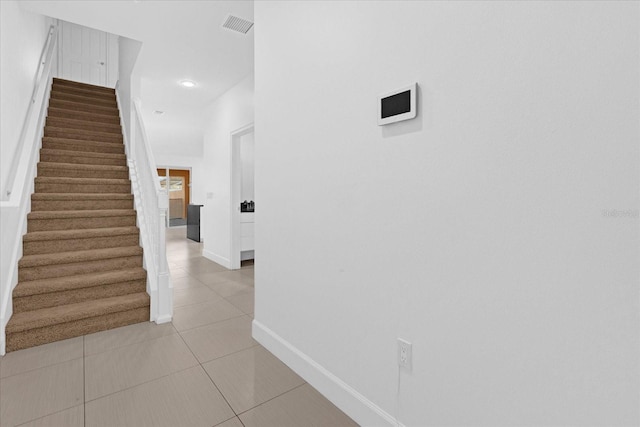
73,312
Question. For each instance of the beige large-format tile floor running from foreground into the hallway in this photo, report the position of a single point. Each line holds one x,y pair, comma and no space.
204,369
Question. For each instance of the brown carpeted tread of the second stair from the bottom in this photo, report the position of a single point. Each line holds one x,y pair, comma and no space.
67,283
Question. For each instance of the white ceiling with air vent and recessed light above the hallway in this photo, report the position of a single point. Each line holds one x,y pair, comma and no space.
181,40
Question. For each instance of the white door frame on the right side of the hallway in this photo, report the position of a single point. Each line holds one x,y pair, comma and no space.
234,194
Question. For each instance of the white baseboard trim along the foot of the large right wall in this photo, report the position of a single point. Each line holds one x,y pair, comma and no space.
350,401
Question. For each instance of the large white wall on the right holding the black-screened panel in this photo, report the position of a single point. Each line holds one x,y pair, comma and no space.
480,231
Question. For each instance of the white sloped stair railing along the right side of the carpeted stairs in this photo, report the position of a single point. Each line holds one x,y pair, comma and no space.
151,206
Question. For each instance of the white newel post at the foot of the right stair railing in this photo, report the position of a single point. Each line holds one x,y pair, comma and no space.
165,297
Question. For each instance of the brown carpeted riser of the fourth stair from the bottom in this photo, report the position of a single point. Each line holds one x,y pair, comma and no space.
67,245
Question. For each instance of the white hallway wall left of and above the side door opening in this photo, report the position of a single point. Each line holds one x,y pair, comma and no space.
230,112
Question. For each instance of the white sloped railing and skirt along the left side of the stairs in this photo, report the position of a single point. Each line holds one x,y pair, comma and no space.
15,197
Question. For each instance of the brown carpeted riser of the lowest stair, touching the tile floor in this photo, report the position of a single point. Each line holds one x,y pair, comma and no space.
62,331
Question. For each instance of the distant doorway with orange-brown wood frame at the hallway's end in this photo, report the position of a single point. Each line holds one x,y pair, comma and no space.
178,184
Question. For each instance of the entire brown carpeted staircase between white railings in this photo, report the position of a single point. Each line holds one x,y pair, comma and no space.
81,270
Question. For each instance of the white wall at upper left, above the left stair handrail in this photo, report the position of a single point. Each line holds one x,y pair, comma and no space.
22,38
